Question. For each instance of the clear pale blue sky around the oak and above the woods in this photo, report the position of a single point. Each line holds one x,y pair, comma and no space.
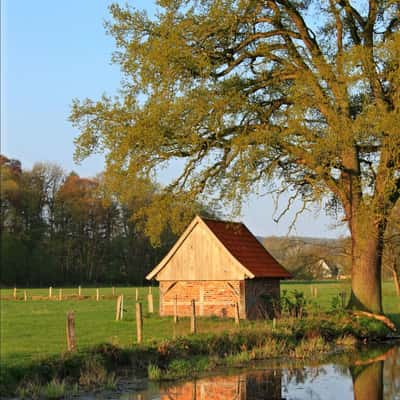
55,51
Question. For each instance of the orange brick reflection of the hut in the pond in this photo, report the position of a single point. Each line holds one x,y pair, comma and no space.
254,386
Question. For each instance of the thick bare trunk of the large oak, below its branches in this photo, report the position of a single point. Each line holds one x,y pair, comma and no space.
366,292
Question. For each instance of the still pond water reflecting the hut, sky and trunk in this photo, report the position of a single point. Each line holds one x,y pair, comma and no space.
368,375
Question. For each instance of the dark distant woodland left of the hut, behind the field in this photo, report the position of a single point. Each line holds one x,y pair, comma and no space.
62,229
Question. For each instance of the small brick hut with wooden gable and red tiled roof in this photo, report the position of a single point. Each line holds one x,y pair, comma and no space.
218,264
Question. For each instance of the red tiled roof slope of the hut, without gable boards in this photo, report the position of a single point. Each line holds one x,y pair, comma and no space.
245,247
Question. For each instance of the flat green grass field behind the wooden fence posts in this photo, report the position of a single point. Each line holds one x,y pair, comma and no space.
36,329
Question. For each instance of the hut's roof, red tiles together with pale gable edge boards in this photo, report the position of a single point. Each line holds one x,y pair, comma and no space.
252,257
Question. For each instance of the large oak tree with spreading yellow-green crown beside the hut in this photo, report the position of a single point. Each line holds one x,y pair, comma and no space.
251,92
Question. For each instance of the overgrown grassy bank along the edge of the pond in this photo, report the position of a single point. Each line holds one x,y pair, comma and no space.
189,356
